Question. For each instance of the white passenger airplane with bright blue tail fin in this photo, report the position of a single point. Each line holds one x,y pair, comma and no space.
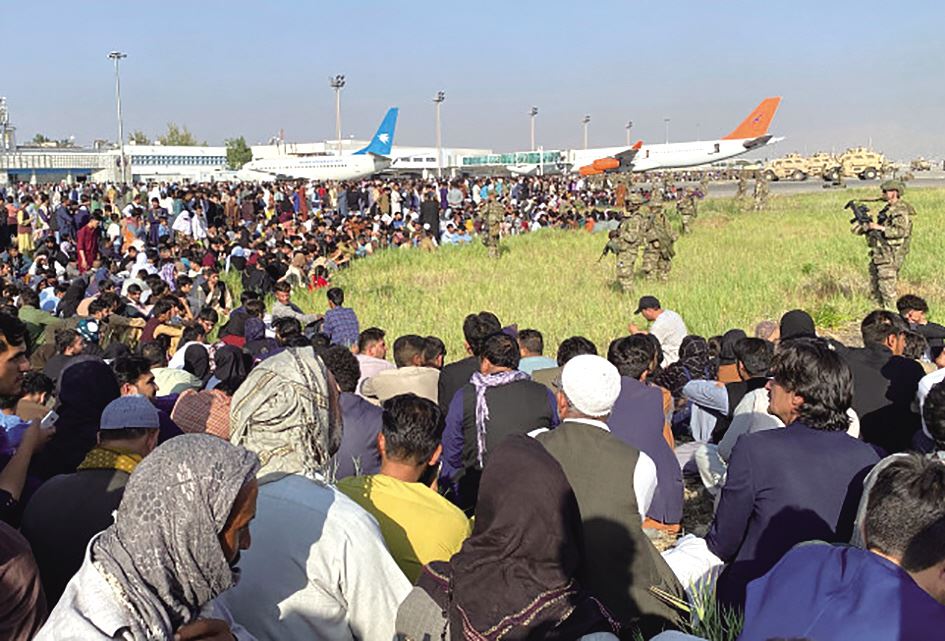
364,162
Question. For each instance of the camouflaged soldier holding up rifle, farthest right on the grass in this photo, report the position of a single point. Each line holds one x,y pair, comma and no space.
888,238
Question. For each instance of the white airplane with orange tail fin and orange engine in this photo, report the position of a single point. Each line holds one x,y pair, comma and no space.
751,134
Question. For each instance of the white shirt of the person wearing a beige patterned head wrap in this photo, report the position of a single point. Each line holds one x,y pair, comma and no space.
317,568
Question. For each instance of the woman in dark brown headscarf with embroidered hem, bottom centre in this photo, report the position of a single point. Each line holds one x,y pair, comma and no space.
518,575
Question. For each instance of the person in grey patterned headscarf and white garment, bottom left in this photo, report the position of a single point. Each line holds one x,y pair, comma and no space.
172,550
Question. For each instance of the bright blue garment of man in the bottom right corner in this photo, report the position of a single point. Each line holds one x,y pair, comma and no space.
833,593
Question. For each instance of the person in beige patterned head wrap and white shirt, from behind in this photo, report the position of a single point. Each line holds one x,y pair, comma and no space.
319,568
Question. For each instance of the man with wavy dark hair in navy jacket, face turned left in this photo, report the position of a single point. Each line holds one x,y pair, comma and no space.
798,483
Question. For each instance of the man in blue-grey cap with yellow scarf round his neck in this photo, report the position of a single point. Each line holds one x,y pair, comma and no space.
68,510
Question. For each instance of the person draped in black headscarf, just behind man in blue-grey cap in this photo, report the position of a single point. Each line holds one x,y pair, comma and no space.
85,387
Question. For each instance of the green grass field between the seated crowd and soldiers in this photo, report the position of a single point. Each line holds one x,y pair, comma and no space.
734,270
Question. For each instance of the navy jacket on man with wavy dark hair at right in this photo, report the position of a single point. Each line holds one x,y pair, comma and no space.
783,487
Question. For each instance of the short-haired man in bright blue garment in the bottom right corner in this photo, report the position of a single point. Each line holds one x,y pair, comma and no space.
894,589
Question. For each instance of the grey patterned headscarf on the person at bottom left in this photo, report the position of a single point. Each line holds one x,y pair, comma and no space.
162,556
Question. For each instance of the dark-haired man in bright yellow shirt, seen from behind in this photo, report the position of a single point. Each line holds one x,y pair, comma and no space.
419,525
